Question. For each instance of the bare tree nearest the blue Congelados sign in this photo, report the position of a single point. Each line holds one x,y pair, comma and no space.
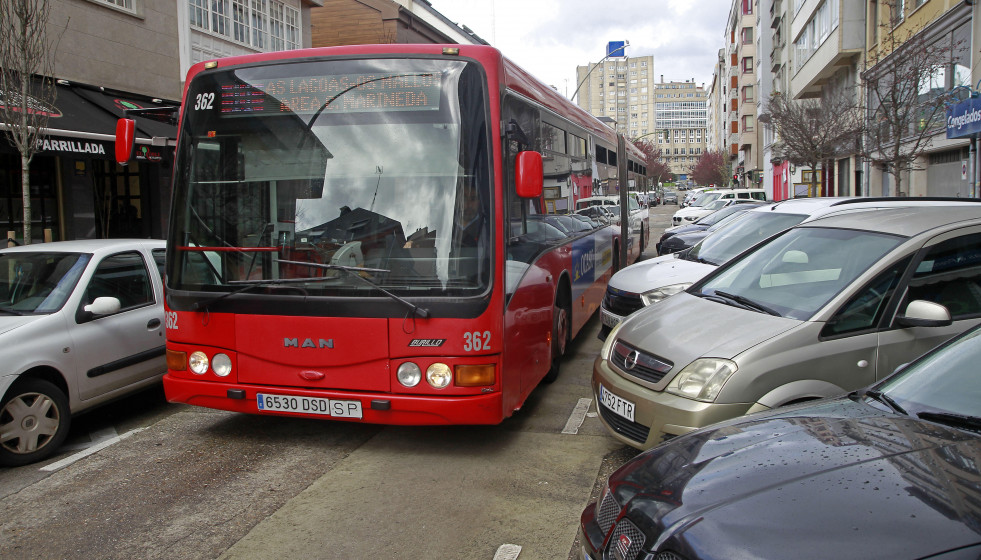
907,93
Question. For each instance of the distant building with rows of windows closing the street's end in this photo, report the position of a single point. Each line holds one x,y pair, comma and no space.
681,124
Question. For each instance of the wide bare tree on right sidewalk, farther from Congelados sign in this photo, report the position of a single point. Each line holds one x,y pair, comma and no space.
813,131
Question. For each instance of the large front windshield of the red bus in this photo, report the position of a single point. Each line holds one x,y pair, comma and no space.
333,176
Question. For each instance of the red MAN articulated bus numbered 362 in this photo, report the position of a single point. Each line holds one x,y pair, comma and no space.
376,234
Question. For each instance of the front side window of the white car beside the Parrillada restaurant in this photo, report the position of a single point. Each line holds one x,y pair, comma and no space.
123,276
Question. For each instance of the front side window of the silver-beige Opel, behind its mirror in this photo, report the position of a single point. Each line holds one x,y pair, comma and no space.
950,274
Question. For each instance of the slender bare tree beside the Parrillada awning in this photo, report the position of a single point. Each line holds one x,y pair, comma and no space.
27,90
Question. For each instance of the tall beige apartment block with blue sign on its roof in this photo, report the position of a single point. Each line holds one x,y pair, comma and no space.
622,89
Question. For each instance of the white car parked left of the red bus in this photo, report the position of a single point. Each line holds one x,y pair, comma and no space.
81,323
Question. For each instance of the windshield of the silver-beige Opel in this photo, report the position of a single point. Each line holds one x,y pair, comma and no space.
799,272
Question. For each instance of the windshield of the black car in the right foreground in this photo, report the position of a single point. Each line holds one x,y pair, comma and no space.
946,380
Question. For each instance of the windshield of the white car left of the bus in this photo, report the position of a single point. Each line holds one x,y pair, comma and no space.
38,282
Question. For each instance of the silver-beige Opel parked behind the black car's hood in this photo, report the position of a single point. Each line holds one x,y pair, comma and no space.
828,306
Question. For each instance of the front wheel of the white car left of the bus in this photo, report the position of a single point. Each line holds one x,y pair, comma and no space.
34,419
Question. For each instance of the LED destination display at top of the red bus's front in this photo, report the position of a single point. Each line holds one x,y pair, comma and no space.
342,93
